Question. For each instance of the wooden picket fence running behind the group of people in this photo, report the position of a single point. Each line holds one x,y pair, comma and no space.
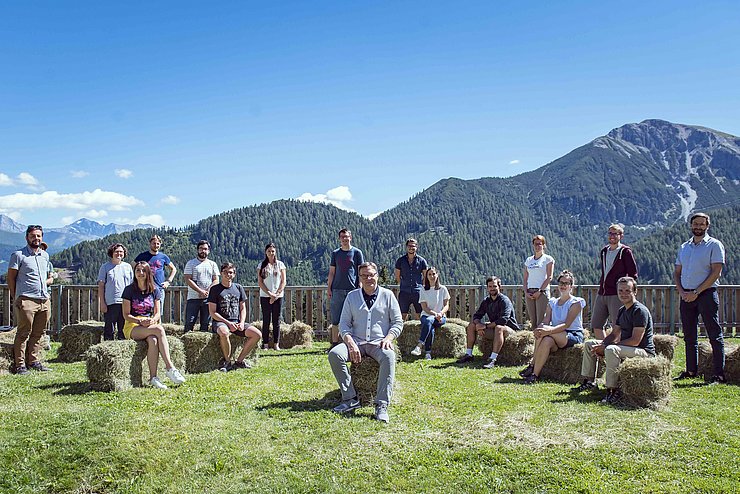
74,303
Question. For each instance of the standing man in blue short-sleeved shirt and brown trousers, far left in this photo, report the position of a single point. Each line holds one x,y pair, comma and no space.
29,274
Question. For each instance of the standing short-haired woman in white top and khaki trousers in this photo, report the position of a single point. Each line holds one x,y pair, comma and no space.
538,270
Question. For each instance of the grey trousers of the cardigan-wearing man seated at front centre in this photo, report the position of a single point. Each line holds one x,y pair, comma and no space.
339,357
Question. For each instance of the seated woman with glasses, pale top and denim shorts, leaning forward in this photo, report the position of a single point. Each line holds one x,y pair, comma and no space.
562,327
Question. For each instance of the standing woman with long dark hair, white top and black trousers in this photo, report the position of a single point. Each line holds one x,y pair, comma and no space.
271,279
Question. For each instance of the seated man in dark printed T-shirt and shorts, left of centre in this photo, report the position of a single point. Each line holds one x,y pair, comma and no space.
227,306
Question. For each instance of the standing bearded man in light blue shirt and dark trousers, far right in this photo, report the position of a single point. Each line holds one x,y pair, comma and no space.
698,268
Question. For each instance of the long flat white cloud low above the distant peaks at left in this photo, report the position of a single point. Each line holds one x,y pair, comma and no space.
76,201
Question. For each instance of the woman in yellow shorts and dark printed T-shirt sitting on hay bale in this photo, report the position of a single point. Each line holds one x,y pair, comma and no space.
141,311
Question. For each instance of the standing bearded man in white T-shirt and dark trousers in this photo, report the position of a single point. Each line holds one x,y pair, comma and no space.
200,273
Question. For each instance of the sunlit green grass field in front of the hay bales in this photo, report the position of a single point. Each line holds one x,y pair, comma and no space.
270,429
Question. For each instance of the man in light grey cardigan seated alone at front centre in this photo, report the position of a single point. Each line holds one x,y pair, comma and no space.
371,319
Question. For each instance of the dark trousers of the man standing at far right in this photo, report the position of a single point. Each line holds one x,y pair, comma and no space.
706,305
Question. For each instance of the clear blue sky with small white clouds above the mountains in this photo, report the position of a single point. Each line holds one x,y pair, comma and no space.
169,112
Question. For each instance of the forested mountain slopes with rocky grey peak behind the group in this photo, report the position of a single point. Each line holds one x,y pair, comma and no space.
649,176
